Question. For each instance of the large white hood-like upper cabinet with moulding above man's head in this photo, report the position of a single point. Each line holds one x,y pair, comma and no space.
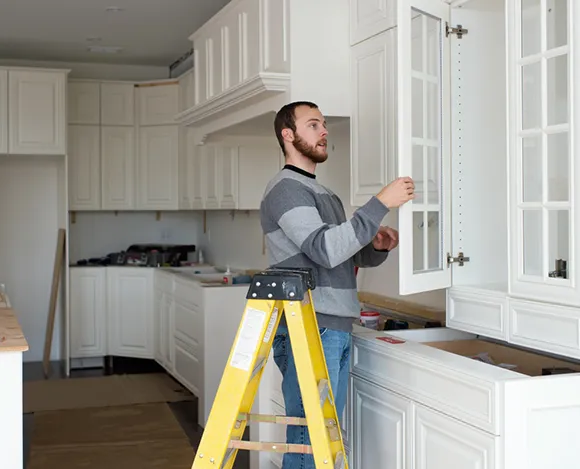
253,56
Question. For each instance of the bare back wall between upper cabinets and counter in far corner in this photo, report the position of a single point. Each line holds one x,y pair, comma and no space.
96,234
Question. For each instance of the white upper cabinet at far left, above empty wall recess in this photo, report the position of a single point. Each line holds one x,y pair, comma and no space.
32,111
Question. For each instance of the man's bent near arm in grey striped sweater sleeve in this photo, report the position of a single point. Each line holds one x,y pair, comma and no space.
293,207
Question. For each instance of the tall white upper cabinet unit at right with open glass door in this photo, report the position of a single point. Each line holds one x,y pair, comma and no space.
483,118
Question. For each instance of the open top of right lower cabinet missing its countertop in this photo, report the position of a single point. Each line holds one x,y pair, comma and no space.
528,363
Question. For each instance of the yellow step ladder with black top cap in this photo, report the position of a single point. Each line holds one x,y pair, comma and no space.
273,292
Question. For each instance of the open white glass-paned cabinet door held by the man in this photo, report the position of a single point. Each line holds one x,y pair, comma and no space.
423,121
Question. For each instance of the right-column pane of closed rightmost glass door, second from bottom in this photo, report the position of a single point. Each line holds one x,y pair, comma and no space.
558,167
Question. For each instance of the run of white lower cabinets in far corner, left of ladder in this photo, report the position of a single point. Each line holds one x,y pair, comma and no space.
155,314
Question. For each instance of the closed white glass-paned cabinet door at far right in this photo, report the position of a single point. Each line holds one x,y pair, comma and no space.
544,202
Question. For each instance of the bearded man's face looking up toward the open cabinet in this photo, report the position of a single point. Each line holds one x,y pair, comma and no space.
310,135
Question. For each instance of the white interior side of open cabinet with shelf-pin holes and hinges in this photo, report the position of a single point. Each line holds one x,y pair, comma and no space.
479,156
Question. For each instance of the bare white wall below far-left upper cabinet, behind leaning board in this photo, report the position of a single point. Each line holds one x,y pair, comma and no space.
32,204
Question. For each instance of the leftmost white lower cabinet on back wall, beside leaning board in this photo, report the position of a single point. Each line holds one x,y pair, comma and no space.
88,317
